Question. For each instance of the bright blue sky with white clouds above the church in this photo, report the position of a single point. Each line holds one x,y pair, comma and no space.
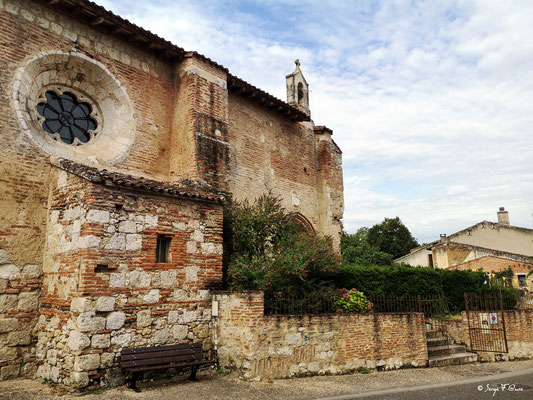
431,101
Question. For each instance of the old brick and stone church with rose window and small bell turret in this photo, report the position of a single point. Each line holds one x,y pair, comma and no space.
117,149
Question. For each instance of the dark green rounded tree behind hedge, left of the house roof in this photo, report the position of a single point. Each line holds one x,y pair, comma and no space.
392,237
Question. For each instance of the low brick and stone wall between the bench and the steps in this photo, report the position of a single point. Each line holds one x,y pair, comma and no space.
268,346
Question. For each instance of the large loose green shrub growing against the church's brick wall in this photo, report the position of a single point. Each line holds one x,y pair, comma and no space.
271,252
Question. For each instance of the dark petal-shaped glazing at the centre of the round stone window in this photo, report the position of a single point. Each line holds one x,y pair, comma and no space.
67,119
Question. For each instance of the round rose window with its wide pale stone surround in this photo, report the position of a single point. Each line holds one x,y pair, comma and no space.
96,123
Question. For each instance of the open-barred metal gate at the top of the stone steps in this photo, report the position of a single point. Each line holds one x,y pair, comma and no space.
486,322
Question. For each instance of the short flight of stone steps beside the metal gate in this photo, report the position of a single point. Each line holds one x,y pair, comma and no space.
441,353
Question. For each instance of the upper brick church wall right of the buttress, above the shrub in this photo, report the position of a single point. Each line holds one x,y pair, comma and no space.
303,166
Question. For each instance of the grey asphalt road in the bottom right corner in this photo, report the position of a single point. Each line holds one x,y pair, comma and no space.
516,385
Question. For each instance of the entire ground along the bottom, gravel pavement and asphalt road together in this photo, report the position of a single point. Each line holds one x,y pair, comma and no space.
450,382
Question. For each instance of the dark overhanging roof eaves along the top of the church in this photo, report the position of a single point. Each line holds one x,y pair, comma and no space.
109,23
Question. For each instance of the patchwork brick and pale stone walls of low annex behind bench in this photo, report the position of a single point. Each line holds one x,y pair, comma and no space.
103,289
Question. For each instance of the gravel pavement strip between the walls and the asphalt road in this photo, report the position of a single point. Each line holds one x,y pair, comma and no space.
219,387
